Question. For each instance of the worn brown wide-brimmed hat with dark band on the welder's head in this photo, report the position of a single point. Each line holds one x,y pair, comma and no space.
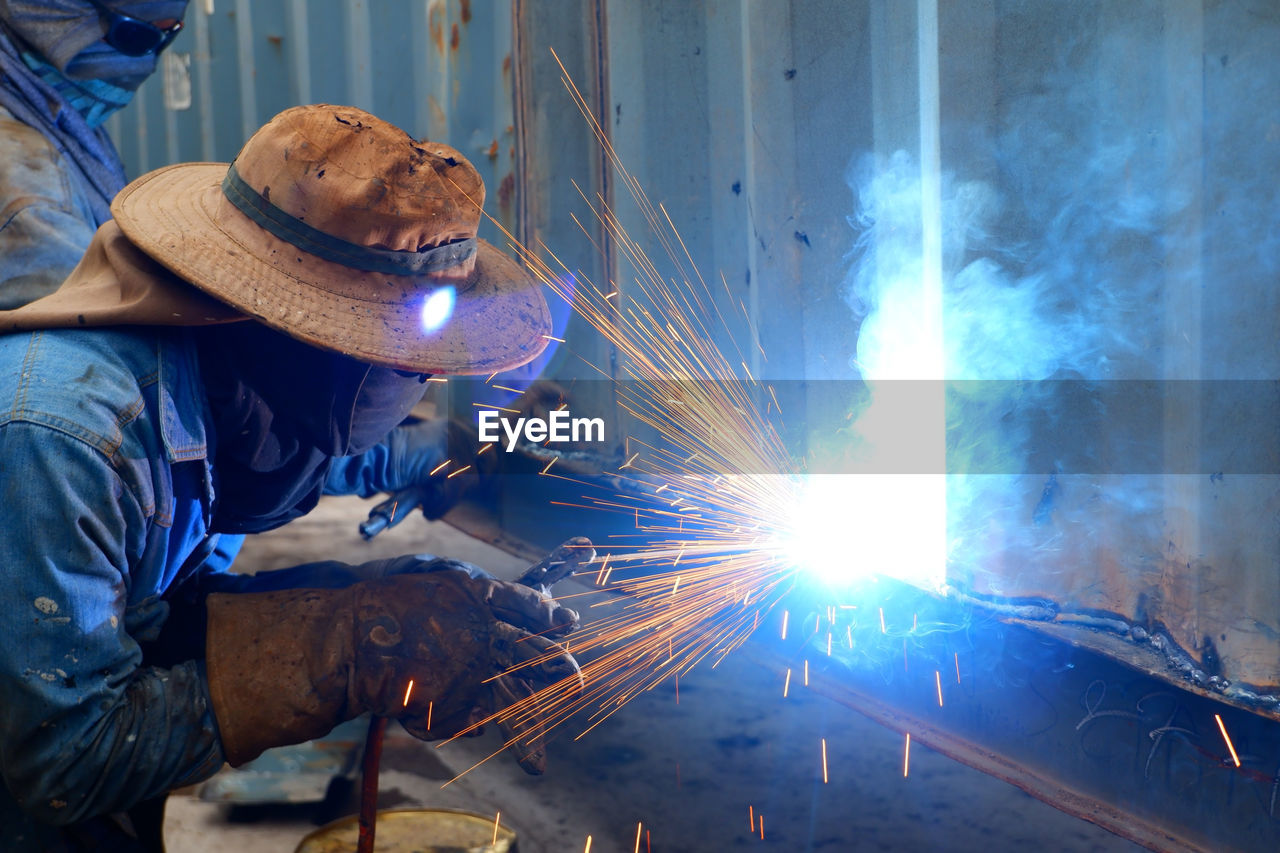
344,232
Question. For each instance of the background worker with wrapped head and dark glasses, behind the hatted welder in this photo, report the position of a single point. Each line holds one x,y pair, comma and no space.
66,67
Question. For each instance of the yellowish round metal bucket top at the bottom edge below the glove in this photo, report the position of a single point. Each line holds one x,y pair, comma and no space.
415,831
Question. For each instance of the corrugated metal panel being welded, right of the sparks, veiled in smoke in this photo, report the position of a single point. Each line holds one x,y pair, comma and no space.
1086,207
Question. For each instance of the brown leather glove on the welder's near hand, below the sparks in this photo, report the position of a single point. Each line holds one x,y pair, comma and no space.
287,667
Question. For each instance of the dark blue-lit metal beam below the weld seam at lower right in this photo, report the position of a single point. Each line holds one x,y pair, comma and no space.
1072,727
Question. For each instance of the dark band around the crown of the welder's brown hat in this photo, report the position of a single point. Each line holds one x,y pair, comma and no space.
314,241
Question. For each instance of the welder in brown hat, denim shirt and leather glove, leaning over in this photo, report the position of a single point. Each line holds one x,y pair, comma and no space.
237,341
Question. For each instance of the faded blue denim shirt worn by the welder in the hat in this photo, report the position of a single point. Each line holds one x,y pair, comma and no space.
108,491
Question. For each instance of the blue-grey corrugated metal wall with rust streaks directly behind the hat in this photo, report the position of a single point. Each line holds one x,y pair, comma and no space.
442,70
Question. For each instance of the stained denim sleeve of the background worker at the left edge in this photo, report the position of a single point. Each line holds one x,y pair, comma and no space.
47,220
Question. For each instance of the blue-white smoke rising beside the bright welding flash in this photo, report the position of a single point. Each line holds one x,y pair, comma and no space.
1055,268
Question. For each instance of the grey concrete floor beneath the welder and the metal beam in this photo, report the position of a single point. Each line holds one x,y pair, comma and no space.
691,770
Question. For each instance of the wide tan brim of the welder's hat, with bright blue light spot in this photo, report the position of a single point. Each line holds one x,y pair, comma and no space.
179,217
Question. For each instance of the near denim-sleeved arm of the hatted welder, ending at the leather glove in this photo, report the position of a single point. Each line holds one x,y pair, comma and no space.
85,728
